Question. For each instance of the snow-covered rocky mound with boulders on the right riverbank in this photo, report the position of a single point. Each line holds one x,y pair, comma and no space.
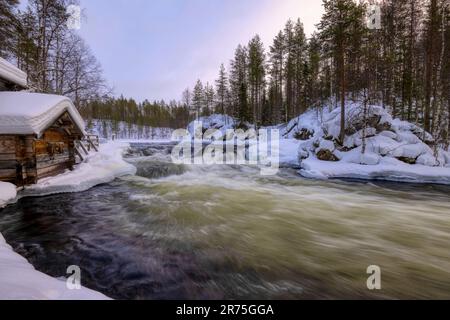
395,150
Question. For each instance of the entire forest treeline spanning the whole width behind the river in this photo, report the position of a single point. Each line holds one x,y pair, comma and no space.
401,62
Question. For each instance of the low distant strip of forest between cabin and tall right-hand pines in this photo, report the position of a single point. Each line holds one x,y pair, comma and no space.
151,114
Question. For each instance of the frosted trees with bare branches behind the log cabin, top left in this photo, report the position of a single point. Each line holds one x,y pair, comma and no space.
56,59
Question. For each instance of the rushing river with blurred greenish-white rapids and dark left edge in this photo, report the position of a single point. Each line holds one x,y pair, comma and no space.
194,232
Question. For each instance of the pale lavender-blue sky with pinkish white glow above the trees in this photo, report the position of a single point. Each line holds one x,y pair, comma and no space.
154,49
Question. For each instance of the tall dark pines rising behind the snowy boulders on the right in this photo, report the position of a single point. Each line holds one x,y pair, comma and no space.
400,61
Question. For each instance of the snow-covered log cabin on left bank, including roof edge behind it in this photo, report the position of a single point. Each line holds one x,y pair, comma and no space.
38,132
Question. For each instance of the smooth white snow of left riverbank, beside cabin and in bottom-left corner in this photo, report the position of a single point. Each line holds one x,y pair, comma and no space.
18,278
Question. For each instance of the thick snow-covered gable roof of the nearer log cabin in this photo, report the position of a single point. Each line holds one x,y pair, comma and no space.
32,113
